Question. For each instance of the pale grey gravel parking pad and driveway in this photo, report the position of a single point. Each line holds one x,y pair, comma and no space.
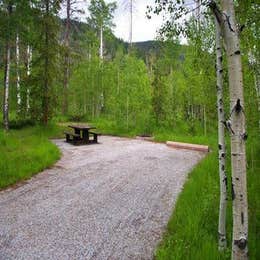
106,201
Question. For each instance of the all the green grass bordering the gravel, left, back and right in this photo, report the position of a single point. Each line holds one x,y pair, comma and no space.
192,229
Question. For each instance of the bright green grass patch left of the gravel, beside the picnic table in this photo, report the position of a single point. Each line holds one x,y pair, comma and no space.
26,152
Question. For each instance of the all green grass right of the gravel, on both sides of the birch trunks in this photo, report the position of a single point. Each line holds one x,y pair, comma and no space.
192,229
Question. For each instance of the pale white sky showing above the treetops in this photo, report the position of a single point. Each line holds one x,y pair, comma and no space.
143,29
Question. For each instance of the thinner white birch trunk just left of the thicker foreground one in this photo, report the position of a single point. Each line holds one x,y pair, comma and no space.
222,243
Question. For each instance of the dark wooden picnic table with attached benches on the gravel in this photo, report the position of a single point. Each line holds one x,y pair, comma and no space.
82,135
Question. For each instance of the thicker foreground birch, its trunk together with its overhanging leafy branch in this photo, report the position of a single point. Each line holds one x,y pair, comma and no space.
227,21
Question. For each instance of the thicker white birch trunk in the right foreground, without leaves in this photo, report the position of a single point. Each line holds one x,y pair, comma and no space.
238,153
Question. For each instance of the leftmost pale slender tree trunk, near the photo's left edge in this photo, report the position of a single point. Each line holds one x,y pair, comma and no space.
6,88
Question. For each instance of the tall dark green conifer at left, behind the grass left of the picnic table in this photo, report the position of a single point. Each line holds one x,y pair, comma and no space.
46,48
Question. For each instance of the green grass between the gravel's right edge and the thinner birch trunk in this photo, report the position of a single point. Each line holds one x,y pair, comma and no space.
192,229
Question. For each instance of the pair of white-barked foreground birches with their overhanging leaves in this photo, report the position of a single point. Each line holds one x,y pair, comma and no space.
233,51
